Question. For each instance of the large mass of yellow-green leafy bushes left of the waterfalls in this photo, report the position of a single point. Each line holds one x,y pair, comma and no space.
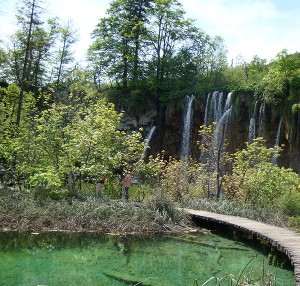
65,137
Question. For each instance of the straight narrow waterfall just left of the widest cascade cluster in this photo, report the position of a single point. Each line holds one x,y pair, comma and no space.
185,145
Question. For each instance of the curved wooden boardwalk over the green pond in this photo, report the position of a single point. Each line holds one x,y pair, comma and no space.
283,239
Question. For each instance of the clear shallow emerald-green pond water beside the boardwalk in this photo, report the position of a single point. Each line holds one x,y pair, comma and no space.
94,259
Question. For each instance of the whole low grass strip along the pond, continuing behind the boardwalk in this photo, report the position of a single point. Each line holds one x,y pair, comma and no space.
20,211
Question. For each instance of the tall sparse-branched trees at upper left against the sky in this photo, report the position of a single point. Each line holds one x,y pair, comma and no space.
36,44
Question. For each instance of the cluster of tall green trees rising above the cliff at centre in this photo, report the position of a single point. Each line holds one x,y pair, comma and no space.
181,58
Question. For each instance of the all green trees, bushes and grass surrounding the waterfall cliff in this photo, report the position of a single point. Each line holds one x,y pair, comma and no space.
60,122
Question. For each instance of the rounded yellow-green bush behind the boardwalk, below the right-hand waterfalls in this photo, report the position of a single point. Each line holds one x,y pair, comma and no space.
255,180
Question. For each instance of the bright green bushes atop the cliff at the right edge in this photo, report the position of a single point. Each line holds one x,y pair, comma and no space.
277,82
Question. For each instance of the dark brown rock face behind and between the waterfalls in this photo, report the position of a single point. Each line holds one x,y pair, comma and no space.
168,120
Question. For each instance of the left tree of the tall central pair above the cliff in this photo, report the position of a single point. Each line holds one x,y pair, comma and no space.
118,40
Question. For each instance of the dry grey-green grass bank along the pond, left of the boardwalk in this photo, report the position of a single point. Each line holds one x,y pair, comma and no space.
21,212
